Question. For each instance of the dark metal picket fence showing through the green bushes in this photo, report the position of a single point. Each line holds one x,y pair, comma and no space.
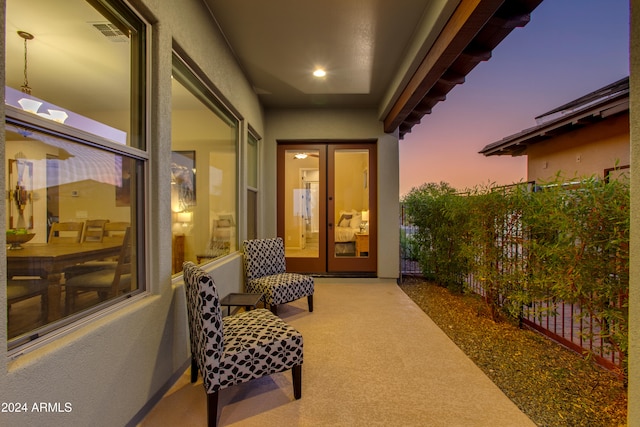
563,322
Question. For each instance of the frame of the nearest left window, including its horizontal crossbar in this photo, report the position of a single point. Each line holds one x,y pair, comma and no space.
136,148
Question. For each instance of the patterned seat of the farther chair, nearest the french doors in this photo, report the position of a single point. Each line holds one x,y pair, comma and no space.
282,288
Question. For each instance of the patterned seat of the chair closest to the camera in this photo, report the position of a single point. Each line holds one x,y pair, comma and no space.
257,343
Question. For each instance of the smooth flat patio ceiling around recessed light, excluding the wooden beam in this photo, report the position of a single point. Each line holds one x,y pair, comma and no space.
360,44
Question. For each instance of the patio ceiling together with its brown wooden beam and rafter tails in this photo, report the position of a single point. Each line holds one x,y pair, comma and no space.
401,57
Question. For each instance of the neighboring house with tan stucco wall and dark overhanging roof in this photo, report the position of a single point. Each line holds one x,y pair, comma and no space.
585,137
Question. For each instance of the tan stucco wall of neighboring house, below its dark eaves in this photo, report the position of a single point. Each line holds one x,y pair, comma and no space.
585,152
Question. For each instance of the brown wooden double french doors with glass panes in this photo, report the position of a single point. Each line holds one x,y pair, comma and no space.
327,206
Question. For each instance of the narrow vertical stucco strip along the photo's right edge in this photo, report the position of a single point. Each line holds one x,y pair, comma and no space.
633,417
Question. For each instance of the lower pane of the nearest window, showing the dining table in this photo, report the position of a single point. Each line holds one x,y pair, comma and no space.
65,195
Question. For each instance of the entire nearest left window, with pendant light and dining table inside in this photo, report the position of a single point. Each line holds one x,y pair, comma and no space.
75,160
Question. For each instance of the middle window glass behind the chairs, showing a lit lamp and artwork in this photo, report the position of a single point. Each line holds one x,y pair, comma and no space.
204,171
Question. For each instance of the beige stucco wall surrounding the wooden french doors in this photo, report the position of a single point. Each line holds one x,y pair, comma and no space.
341,125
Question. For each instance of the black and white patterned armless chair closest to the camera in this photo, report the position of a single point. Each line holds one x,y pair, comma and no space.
238,348
